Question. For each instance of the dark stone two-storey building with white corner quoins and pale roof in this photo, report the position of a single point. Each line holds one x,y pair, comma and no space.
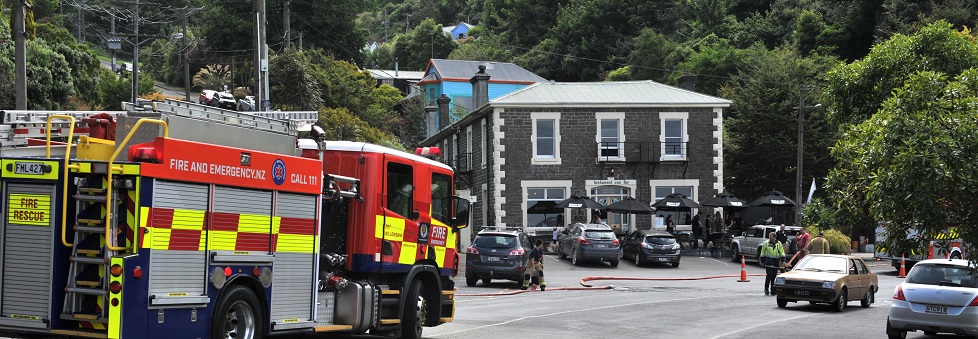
518,154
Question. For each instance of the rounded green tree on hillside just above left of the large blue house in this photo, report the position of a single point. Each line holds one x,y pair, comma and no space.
425,42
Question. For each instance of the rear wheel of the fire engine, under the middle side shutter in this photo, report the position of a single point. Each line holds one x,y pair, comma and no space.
238,315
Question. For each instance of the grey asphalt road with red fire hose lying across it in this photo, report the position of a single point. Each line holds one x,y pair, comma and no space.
707,308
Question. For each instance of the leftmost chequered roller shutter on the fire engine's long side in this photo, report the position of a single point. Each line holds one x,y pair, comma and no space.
176,225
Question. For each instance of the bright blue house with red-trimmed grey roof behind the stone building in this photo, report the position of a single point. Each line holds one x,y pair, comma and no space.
449,80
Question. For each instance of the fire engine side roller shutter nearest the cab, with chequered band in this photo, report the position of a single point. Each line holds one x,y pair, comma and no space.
294,238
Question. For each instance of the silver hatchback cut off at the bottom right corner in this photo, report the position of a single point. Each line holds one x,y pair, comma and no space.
938,296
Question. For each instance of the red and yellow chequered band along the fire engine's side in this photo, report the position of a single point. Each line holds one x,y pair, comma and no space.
178,229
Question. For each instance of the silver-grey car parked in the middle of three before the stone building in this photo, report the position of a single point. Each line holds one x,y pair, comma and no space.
589,242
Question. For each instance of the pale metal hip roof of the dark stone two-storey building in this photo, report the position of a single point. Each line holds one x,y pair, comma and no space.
620,93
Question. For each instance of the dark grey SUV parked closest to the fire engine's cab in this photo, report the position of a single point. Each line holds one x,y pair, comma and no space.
497,253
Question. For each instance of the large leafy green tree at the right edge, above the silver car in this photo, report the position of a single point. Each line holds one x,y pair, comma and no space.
913,164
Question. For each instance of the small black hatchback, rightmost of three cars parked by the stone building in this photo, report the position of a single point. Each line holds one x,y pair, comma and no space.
650,246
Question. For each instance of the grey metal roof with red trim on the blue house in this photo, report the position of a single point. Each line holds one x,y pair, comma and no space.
498,71
